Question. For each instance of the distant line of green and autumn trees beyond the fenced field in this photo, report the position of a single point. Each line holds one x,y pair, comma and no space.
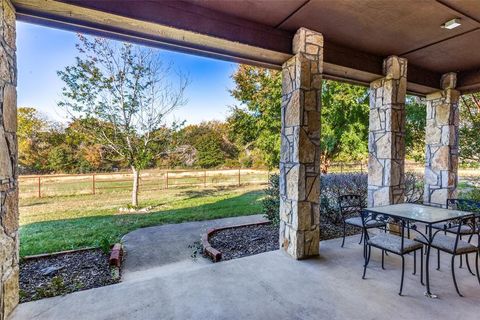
249,137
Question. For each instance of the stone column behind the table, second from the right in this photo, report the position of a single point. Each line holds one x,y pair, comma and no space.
386,138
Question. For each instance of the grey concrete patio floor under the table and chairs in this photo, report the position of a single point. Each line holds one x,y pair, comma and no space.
272,286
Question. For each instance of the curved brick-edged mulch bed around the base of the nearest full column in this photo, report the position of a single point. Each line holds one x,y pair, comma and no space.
249,240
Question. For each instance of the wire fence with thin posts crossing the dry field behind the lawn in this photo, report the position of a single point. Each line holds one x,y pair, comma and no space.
97,183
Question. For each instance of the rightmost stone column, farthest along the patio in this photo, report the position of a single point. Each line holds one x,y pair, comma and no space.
441,159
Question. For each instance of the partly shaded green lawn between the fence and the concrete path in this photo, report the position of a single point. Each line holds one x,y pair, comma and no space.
63,223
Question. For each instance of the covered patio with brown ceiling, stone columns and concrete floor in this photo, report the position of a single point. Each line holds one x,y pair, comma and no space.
394,47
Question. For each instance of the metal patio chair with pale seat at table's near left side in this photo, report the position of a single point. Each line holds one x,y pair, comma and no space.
388,242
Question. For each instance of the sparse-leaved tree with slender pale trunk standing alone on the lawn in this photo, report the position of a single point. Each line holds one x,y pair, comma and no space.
128,90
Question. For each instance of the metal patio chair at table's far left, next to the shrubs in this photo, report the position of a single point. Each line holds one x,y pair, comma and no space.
350,208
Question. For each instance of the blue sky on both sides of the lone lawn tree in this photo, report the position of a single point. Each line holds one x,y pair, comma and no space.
42,51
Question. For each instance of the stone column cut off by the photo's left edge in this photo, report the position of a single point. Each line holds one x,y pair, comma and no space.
8,162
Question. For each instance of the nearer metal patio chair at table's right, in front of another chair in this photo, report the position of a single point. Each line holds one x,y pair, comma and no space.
457,247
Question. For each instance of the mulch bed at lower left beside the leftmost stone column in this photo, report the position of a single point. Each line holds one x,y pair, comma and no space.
58,275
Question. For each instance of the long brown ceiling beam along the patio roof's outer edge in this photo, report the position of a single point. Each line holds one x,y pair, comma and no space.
185,27
